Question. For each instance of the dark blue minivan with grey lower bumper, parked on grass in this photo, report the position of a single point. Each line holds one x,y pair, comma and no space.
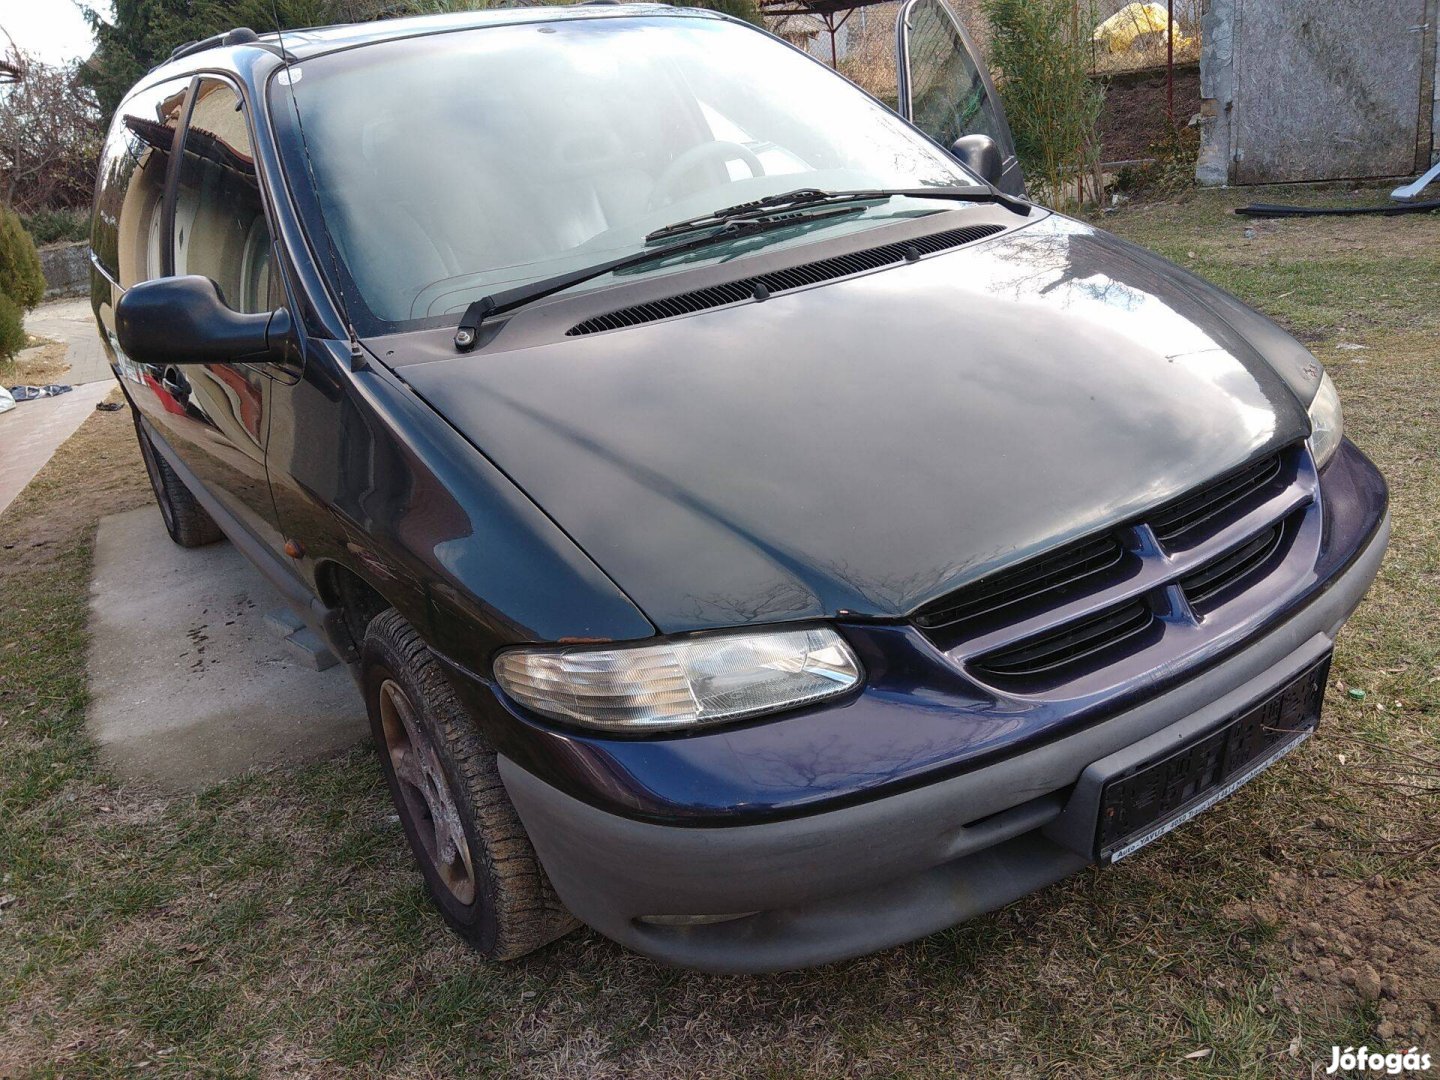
755,528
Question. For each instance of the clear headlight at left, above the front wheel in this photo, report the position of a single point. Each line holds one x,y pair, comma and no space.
683,683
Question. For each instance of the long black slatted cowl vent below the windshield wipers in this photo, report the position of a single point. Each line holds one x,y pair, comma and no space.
783,282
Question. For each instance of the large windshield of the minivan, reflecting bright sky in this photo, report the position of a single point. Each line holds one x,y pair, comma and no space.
454,165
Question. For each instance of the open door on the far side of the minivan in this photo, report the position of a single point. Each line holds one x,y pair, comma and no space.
944,84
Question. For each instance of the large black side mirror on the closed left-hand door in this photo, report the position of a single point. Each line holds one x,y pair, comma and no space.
186,322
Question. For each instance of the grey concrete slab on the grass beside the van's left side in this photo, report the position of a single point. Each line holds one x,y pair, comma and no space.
189,685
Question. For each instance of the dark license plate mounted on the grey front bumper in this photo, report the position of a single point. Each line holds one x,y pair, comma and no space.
1164,794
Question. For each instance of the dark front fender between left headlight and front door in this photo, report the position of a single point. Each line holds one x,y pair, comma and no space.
369,479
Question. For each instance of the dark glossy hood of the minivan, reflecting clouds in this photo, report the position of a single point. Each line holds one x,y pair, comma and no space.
872,444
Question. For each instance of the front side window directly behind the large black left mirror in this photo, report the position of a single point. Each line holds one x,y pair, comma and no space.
220,227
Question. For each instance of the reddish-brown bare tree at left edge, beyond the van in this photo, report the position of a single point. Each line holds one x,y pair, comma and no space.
51,132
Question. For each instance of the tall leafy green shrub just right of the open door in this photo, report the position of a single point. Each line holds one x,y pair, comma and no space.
1043,54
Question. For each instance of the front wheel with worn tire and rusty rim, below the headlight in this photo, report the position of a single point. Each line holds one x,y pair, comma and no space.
477,862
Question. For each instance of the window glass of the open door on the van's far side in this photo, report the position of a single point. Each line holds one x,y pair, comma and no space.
948,96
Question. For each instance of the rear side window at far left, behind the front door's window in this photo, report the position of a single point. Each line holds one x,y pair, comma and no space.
126,231
